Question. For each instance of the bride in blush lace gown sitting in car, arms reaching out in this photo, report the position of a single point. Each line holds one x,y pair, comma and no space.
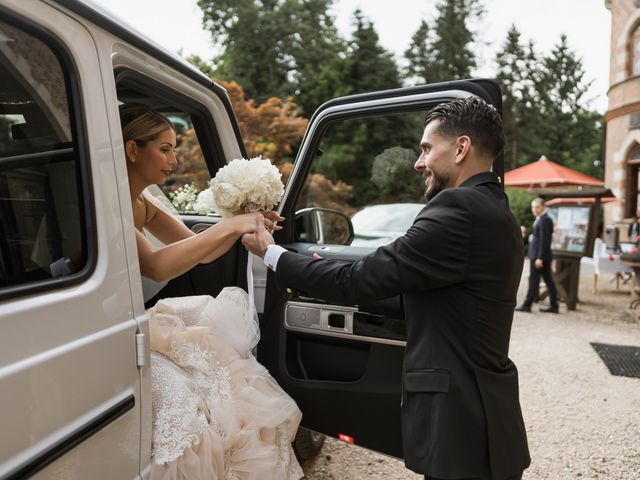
217,413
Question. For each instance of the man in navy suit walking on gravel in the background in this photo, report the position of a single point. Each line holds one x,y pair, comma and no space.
539,254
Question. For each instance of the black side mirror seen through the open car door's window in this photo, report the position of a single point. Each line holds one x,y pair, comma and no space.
322,225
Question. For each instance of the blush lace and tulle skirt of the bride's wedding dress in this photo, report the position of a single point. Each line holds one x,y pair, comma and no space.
217,413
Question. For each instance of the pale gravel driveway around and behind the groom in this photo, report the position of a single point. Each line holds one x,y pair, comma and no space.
582,422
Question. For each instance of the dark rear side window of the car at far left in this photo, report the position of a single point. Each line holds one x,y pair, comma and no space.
42,227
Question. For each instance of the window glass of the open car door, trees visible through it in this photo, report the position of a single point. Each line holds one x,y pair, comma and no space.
364,169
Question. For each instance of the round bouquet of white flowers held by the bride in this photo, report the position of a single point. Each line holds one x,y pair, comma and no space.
252,185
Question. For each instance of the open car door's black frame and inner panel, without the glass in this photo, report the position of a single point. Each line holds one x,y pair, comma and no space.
343,363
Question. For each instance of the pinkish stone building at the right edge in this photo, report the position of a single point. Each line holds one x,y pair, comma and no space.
622,147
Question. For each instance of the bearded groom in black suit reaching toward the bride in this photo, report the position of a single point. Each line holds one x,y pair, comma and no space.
458,269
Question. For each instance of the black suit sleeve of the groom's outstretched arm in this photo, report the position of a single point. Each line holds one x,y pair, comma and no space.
433,253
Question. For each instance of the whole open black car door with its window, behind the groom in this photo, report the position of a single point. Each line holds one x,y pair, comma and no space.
343,363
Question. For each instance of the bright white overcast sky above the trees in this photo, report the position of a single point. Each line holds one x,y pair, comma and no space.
176,25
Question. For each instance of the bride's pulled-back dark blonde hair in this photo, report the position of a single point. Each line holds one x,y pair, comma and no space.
141,124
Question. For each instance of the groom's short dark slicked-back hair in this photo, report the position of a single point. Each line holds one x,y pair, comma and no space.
473,117
